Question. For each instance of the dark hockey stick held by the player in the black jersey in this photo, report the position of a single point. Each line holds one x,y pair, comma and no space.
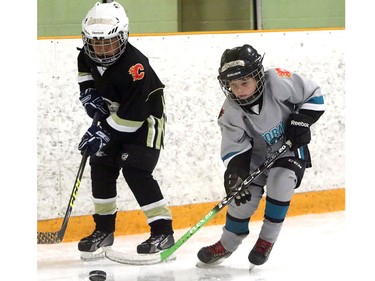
56,237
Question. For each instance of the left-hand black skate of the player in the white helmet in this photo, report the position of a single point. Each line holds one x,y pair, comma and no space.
92,247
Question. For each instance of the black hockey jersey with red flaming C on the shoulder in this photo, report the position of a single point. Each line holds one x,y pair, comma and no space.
134,95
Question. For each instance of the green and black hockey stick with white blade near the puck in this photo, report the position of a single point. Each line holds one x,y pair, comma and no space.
127,258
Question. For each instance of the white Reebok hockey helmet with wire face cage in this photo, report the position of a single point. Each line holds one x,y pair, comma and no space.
105,24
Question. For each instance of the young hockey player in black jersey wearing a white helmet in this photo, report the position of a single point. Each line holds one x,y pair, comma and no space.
116,80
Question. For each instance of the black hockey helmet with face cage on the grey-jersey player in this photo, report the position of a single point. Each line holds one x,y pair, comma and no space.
241,62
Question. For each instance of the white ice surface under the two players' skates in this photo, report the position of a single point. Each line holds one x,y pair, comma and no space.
310,247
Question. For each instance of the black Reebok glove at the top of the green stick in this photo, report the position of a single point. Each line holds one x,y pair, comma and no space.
298,129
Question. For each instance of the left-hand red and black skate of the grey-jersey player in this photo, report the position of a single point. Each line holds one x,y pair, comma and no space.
214,254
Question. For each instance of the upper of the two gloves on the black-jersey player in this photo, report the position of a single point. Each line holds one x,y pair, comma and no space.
92,102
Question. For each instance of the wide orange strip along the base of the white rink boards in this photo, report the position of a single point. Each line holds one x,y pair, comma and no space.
186,216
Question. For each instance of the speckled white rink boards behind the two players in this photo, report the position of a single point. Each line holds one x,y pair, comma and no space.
190,169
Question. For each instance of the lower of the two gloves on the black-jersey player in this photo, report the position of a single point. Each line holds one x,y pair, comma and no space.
94,140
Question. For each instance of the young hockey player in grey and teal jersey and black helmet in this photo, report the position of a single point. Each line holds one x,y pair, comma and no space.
262,110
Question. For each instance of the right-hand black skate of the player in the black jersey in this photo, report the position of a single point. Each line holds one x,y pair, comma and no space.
156,243
